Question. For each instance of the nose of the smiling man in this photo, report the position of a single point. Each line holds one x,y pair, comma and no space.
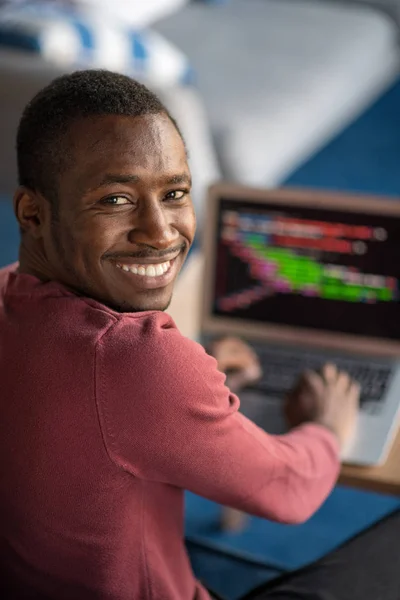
153,227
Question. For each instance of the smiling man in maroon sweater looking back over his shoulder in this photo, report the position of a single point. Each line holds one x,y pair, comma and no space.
107,412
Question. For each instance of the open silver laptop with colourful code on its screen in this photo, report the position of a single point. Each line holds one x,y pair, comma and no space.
309,277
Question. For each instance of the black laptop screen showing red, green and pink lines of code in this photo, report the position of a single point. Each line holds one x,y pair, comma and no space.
308,267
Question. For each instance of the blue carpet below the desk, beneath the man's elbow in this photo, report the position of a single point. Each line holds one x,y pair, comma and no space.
345,513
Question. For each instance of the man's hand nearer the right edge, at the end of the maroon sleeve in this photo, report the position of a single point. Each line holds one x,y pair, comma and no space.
330,399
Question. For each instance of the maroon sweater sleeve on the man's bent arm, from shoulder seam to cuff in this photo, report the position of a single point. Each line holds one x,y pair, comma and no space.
167,416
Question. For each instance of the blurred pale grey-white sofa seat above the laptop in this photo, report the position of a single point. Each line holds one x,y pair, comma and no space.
281,77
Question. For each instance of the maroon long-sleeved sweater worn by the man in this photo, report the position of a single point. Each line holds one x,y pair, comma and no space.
105,419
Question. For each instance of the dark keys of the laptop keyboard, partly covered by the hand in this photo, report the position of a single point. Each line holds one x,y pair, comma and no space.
281,369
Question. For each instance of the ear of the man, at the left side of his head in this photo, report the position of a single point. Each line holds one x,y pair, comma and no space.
30,210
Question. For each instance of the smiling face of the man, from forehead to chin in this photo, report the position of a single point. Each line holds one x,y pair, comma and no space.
125,217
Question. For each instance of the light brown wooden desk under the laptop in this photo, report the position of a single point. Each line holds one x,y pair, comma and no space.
185,310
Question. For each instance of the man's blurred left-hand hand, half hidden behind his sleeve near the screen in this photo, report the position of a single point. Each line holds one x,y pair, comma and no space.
237,360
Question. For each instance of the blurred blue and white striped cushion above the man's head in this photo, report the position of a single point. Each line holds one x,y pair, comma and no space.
72,40
